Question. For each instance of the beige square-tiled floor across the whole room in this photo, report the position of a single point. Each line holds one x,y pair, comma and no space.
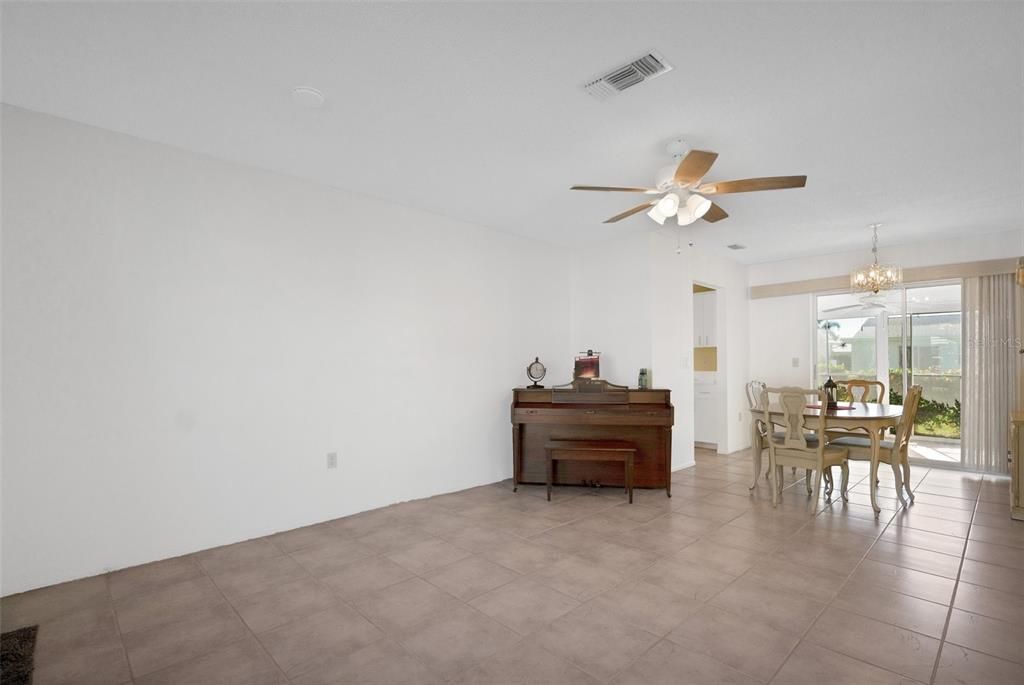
487,586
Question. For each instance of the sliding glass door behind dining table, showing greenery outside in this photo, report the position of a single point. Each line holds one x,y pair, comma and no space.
902,337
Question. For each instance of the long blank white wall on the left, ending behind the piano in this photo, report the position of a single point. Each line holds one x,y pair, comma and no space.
185,339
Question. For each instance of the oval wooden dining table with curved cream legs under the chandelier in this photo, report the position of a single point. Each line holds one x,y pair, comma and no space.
870,418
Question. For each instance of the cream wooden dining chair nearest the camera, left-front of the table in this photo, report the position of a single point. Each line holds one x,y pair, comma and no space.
802,443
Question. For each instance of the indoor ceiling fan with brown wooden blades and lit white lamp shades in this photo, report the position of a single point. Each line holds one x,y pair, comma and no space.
682,194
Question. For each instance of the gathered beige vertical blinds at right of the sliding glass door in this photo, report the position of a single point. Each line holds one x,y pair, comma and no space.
992,368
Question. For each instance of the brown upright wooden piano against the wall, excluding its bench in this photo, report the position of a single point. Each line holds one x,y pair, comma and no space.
593,410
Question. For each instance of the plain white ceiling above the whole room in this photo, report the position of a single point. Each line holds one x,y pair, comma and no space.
909,114
